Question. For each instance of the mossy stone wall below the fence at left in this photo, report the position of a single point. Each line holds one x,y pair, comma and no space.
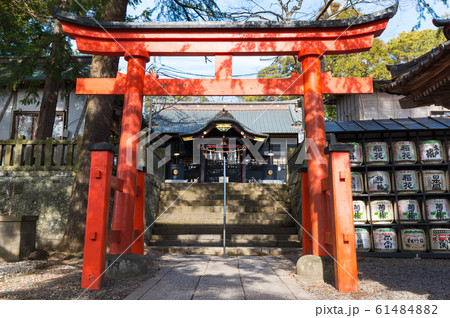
41,193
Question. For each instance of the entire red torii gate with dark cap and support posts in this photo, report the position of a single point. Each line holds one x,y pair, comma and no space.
328,228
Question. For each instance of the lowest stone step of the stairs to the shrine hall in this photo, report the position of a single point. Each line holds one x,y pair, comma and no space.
208,250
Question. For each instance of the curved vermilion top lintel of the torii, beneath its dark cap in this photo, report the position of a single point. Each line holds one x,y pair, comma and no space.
239,41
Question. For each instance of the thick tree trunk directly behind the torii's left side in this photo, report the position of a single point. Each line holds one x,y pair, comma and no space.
96,129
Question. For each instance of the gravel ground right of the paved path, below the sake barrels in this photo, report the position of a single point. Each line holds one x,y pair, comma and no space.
390,278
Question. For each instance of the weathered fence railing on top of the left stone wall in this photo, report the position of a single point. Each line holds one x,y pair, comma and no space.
37,154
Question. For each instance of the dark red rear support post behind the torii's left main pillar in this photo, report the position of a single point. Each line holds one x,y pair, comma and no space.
138,240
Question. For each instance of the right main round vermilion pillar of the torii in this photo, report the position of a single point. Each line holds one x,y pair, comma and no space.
316,143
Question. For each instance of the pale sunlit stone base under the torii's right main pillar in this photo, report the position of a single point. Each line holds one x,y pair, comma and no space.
311,268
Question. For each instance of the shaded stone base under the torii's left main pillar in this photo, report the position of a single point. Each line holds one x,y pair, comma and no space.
125,266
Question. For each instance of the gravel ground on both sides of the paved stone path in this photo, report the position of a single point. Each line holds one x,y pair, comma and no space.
379,278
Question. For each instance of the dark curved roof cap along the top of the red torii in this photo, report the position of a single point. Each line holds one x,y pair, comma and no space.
382,14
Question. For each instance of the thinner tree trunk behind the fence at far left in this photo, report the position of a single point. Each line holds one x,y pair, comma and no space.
47,112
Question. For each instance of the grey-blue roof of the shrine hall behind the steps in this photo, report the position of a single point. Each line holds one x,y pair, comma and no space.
263,118
